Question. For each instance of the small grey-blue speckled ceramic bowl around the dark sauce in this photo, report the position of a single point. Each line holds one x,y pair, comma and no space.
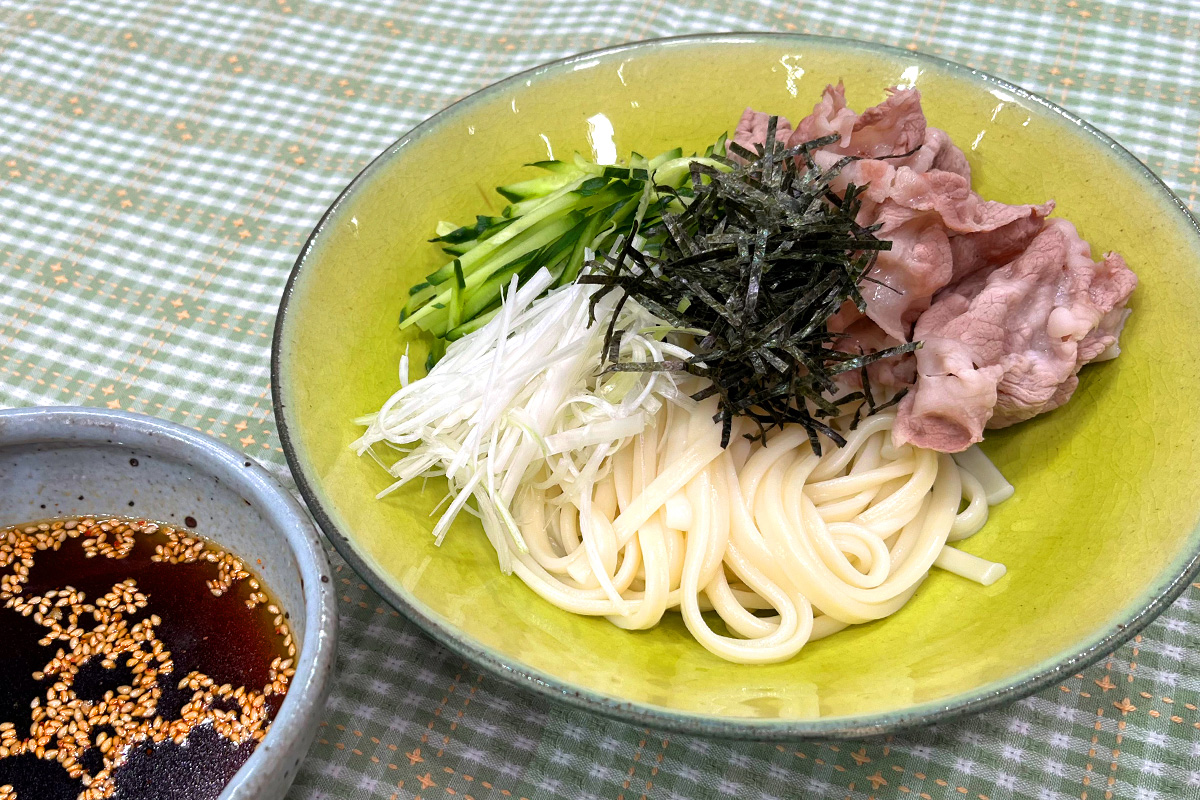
59,462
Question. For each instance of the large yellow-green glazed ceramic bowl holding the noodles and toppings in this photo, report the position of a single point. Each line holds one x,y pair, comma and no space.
1101,537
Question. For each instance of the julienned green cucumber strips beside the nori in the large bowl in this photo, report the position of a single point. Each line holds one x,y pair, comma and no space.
551,222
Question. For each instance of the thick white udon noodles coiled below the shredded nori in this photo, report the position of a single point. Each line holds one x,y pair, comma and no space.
785,546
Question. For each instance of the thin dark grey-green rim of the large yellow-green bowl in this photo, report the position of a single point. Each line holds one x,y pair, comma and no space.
1107,640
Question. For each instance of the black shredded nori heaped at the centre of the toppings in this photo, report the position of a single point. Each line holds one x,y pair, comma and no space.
761,257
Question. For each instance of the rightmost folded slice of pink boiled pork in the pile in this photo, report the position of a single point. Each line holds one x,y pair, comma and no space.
1007,346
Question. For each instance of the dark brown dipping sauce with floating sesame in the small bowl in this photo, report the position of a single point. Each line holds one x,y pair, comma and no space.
140,663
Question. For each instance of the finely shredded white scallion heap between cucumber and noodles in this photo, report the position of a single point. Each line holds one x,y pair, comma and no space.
523,398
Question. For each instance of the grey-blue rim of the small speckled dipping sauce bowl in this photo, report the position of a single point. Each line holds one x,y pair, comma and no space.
91,428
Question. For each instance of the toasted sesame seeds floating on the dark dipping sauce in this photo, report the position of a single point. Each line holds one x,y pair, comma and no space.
62,726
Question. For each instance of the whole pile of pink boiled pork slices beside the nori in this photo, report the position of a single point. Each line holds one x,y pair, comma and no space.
1009,305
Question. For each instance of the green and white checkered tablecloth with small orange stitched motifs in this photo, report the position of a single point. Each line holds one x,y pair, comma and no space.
161,164
